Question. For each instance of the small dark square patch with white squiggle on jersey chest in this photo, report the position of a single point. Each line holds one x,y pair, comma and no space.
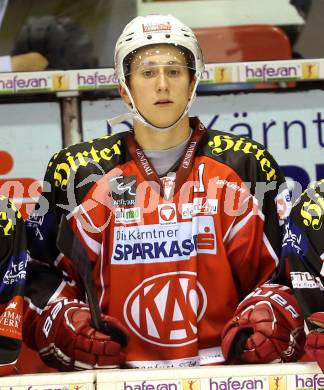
123,190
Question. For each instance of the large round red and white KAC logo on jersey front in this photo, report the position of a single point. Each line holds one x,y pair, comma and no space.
165,309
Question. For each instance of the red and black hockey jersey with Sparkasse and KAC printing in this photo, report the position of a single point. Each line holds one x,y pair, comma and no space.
171,257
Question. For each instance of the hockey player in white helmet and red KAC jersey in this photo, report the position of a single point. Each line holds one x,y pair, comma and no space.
179,223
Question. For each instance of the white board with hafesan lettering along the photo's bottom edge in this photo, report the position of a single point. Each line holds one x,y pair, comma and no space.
253,377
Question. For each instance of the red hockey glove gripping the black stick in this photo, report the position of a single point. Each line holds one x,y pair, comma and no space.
67,341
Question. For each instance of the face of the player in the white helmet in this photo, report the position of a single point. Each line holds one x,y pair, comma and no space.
160,84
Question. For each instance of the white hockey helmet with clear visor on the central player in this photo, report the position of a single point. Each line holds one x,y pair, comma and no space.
153,30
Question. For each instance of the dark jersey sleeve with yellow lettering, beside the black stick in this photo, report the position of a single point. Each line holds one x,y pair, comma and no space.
64,186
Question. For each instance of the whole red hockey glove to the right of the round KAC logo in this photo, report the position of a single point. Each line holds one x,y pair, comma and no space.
267,327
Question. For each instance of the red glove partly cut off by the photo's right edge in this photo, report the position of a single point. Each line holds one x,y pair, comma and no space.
315,339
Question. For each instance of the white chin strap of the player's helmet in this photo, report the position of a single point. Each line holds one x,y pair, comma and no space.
134,114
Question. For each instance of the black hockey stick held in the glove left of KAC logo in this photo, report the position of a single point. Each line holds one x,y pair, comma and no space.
68,243
